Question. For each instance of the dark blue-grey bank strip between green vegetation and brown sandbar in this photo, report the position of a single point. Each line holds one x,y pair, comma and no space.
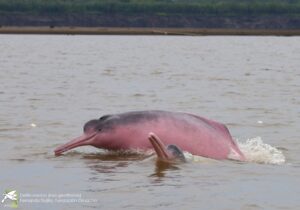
274,22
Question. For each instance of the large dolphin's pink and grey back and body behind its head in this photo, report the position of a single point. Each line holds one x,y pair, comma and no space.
190,132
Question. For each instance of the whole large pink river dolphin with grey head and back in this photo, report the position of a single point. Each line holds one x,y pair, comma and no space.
138,131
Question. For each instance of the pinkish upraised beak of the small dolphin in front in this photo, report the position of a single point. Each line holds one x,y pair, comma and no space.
159,147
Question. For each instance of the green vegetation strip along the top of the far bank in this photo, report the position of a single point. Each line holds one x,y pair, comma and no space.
156,7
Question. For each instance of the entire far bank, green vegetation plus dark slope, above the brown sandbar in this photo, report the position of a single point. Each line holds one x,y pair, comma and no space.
199,14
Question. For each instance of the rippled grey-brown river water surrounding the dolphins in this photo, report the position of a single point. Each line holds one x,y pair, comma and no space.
51,85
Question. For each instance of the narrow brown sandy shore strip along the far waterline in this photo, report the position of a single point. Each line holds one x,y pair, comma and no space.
145,31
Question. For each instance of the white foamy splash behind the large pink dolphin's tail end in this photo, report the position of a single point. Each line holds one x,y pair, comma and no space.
255,150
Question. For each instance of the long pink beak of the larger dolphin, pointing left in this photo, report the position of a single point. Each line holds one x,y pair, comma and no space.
77,142
